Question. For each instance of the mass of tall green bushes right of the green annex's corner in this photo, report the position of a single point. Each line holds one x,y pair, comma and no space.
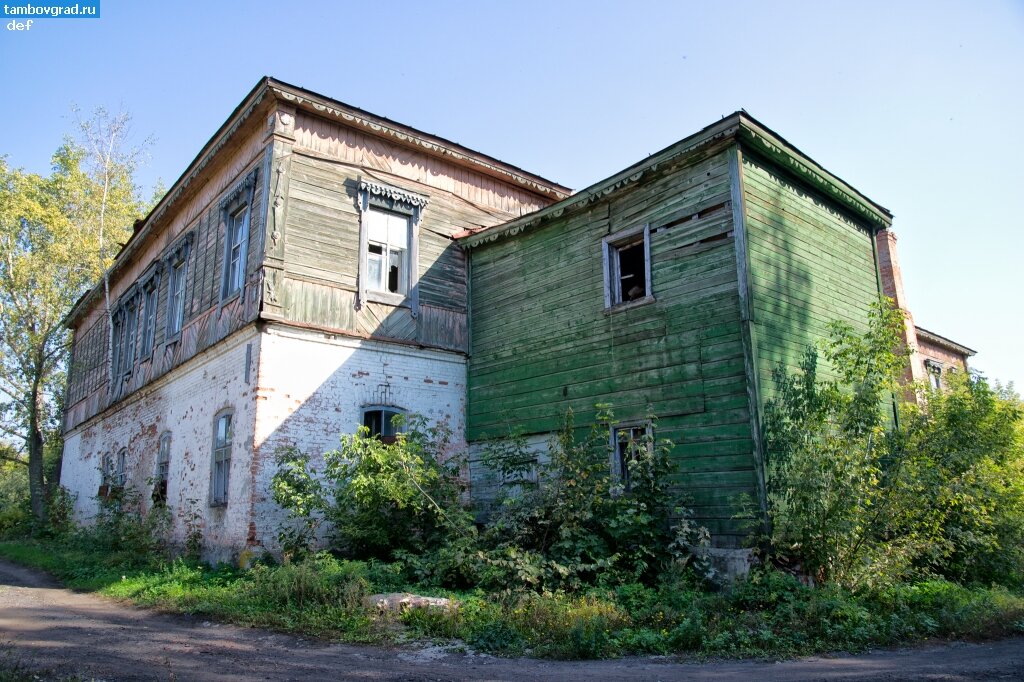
857,501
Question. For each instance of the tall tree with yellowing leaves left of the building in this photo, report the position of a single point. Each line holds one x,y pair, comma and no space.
57,238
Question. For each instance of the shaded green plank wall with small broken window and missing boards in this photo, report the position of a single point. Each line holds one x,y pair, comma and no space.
543,343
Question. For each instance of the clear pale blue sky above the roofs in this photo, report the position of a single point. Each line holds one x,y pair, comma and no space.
918,104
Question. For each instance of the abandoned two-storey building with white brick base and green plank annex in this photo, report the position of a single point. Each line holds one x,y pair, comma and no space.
318,268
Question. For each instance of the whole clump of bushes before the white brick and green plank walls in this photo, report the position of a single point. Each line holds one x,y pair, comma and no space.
575,525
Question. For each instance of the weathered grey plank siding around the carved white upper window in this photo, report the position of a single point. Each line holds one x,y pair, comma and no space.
322,260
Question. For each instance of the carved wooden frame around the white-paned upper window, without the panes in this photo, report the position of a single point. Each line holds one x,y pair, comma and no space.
376,197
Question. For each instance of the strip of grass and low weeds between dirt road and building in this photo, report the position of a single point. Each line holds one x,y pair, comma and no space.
771,615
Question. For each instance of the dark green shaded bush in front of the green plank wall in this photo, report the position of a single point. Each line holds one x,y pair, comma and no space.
579,524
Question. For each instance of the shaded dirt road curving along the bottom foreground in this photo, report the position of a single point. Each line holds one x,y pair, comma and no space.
69,633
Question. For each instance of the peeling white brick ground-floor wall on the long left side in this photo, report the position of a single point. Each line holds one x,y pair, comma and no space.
186,403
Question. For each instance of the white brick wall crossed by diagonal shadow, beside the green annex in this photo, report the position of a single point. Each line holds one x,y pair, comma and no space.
314,386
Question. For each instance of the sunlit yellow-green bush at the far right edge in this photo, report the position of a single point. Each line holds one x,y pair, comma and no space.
964,449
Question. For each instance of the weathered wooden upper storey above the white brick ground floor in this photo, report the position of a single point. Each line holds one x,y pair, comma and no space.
269,223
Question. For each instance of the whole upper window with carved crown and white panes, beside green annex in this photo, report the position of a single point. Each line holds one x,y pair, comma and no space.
389,245
